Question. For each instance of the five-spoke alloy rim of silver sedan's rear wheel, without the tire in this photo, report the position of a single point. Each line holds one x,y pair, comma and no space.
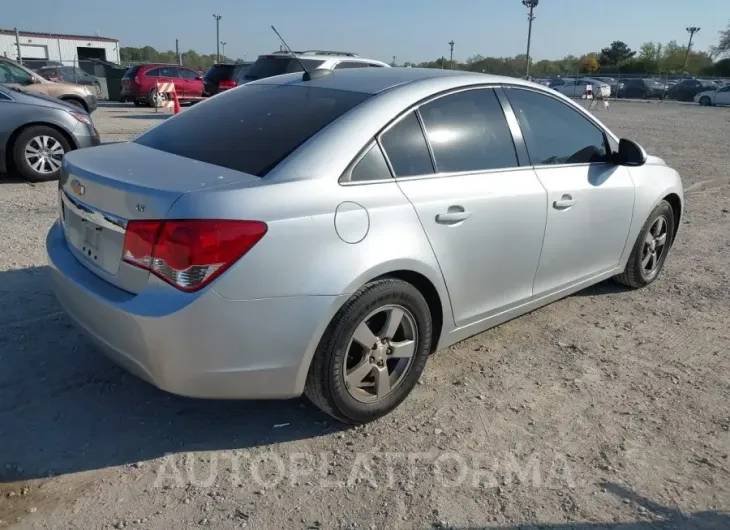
380,353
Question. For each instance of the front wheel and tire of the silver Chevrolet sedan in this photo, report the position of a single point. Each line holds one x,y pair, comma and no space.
651,248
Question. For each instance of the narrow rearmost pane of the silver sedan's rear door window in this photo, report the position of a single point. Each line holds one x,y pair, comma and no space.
406,148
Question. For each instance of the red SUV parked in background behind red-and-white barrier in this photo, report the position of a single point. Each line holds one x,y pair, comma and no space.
139,83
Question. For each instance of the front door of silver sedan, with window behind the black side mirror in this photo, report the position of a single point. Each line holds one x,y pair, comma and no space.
590,200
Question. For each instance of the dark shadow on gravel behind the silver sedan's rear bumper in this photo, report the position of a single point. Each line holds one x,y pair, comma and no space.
65,408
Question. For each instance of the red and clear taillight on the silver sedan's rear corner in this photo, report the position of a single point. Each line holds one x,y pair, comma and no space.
189,254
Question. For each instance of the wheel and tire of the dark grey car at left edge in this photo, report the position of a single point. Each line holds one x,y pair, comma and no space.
38,152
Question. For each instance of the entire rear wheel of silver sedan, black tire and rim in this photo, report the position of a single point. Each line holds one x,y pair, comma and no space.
373,352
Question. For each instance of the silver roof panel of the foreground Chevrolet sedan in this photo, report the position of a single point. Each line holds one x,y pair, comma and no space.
375,80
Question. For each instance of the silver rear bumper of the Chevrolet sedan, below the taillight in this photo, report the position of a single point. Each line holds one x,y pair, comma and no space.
198,345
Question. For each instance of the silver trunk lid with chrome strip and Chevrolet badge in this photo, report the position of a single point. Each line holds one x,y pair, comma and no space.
103,188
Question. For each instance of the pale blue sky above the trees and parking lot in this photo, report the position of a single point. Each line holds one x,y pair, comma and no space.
411,30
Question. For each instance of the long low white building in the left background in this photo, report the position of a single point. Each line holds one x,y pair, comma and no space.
58,47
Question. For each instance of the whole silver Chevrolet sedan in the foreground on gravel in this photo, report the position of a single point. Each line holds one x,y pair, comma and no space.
324,235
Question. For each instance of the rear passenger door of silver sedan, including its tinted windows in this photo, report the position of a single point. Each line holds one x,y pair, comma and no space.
483,213
